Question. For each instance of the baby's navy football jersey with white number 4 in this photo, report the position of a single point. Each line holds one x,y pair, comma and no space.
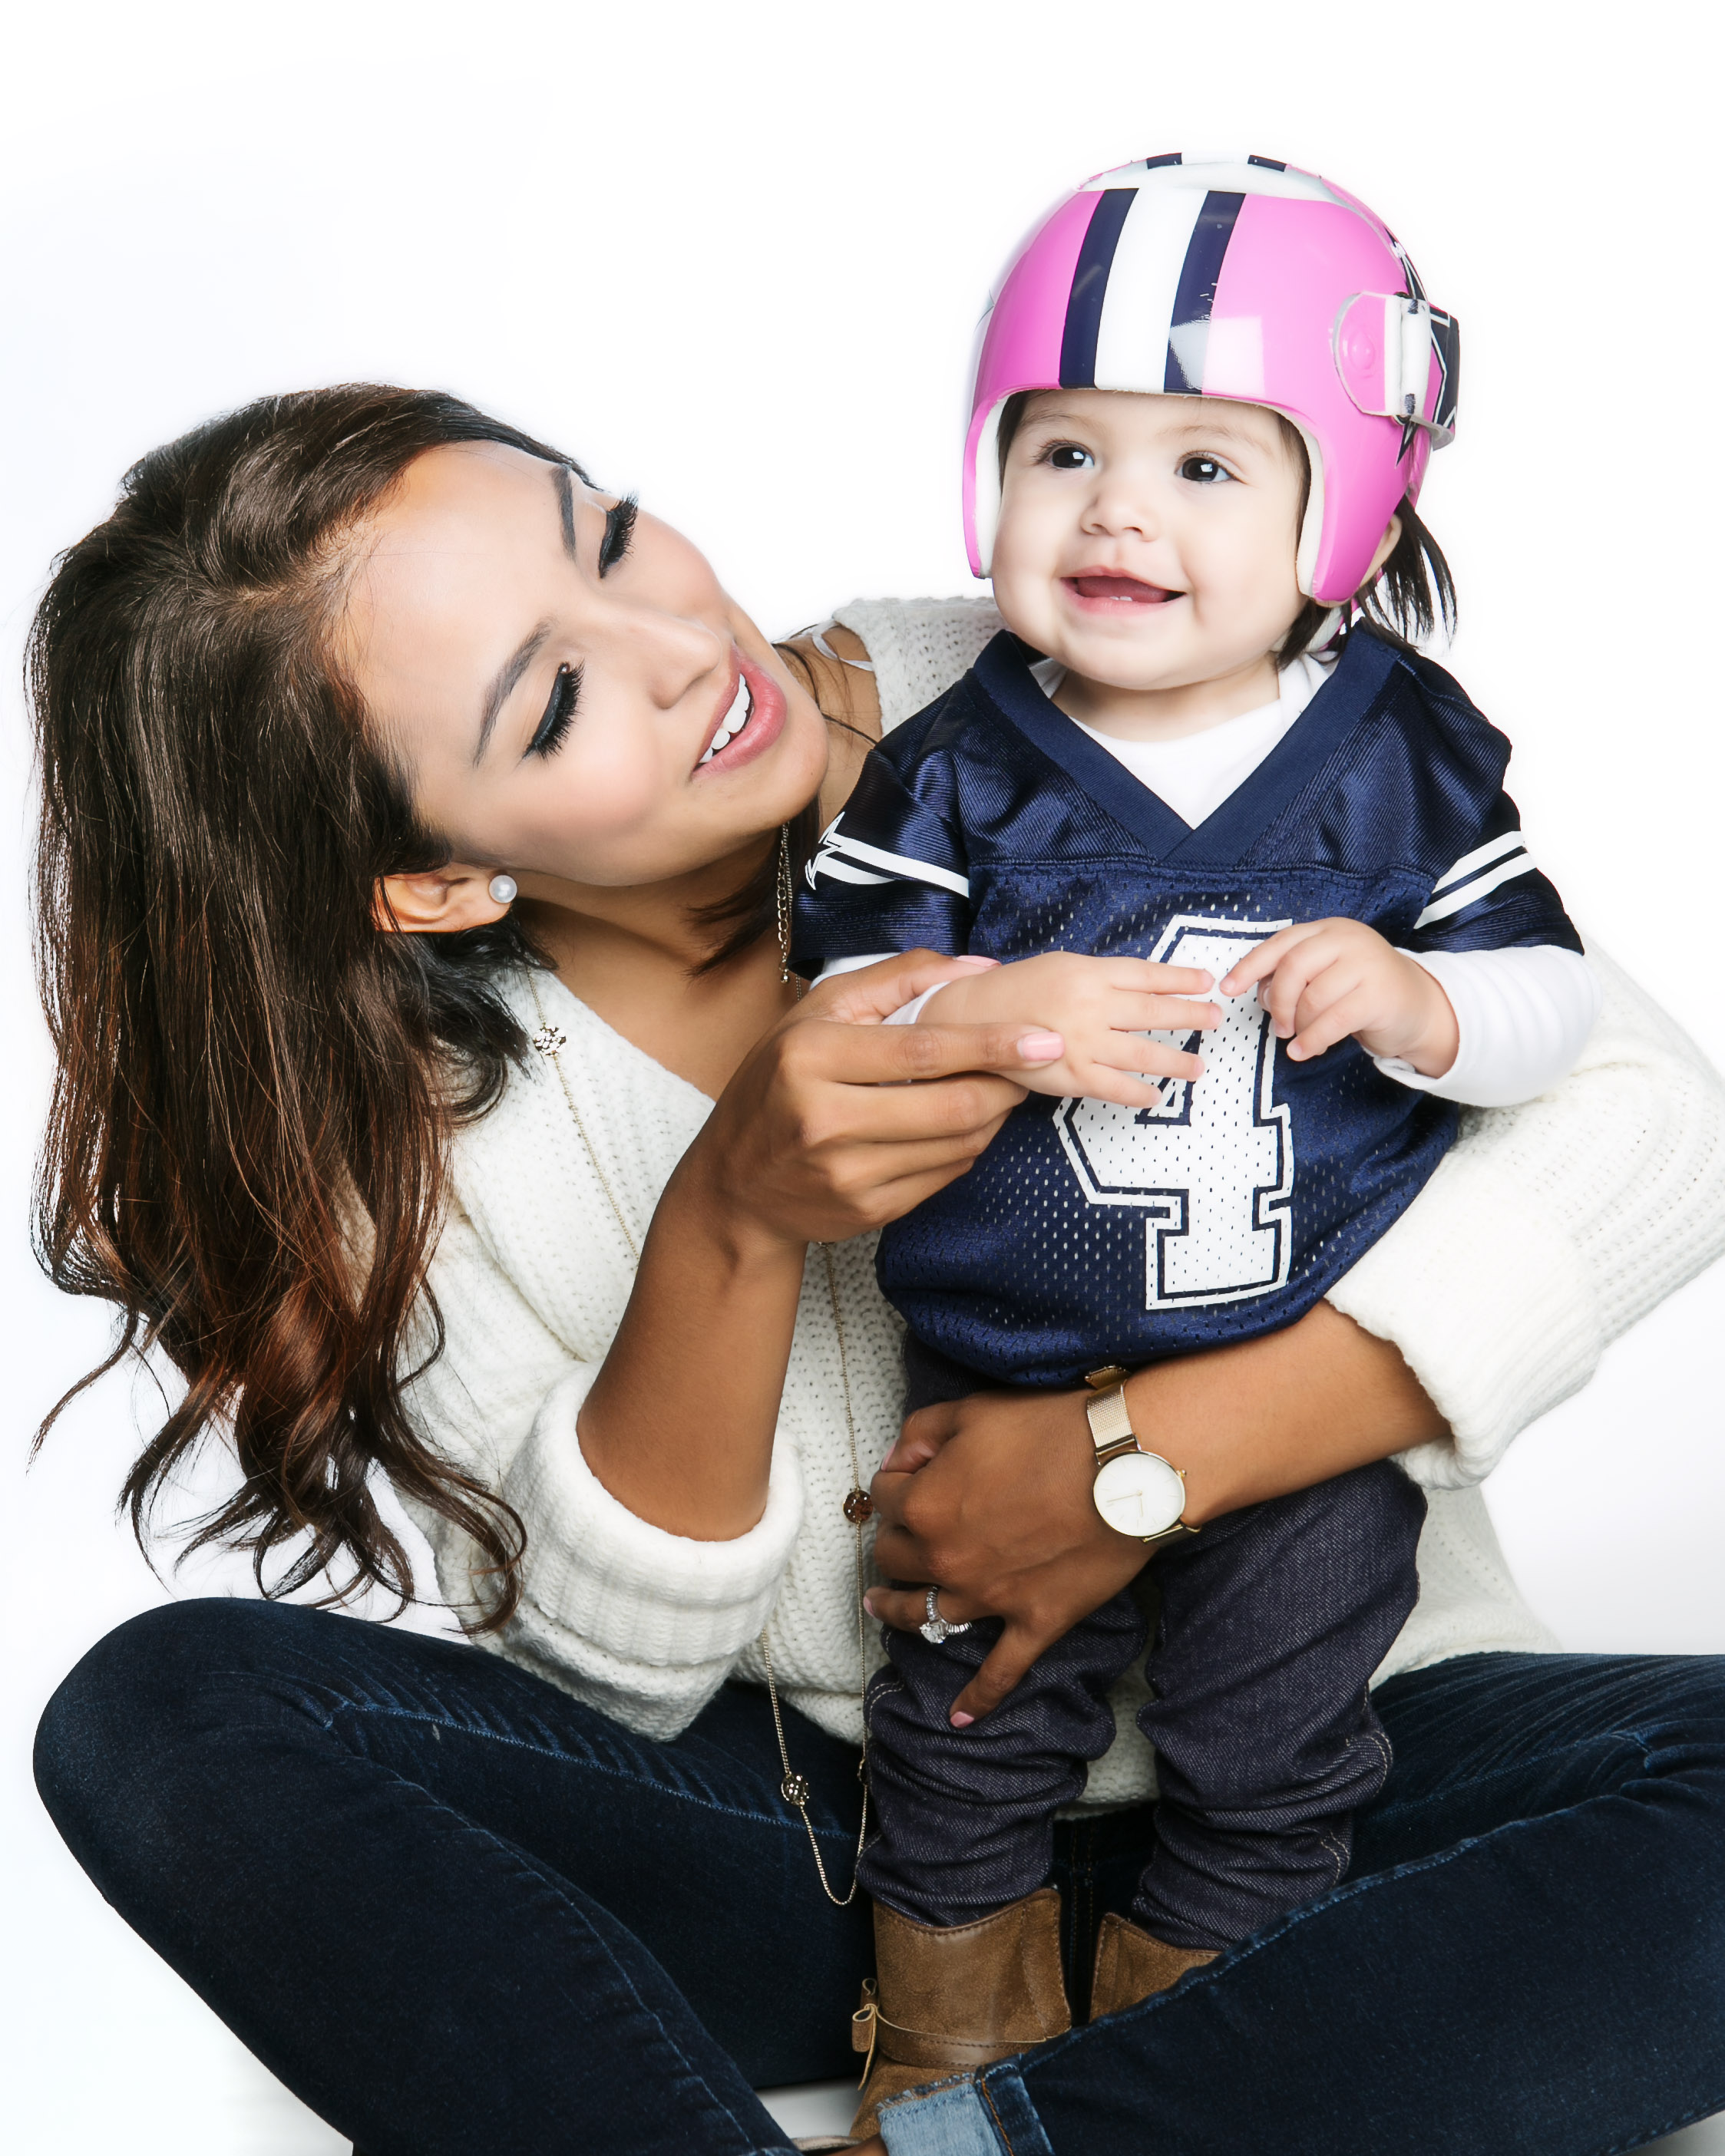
1101,1234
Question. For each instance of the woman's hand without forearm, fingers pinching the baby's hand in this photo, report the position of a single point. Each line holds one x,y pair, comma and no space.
838,1122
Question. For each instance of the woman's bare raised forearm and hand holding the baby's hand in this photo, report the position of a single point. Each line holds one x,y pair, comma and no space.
831,1127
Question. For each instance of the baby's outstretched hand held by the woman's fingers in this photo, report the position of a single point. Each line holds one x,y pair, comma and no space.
1101,1008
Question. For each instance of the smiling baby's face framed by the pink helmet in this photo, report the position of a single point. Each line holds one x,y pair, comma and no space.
1148,542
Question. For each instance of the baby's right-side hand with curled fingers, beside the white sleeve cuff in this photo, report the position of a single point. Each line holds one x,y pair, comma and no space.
1325,980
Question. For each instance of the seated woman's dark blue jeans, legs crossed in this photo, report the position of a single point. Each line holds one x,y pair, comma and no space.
460,1913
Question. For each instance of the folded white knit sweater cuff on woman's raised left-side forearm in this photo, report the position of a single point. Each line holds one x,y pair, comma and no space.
618,1590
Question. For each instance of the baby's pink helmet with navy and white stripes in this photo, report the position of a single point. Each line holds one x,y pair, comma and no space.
1232,277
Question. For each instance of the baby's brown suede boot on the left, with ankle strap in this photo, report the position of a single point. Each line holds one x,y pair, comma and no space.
954,1998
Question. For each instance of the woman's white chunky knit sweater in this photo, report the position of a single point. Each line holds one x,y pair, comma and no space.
1543,1234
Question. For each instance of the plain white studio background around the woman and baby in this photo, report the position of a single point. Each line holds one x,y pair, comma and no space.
732,258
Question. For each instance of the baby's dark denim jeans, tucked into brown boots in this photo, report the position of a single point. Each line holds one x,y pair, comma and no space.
1265,1631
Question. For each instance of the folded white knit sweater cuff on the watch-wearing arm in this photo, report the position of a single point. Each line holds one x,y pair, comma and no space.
1491,1308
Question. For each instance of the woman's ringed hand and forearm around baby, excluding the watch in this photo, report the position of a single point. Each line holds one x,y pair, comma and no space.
991,1497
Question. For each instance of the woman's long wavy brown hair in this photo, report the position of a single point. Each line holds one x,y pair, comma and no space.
256,1088
